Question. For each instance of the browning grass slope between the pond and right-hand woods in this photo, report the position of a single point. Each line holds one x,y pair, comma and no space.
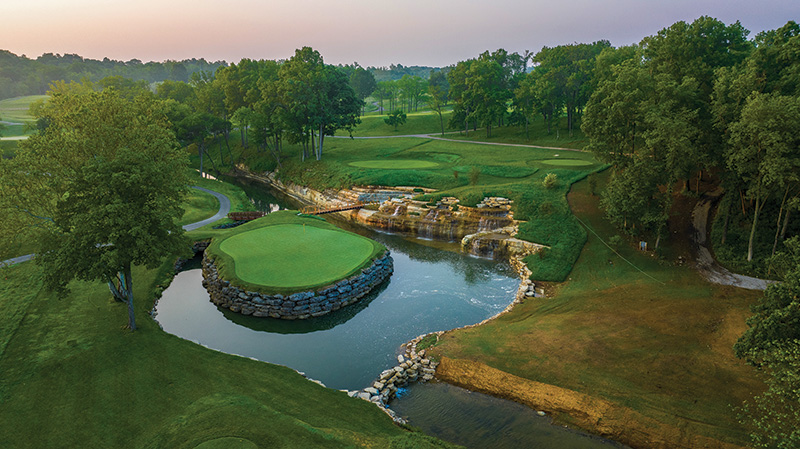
658,341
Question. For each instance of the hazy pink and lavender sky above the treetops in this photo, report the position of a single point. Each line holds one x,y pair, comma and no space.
371,32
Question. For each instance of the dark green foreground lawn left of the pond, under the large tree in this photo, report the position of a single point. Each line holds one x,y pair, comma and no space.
69,367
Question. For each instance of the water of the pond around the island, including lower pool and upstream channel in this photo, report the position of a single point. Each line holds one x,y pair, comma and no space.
434,287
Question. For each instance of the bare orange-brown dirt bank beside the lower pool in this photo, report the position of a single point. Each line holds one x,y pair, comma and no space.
595,415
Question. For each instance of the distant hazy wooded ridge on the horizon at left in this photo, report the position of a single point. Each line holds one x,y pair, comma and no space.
20,75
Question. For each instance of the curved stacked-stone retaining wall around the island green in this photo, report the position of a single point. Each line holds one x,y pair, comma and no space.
302,305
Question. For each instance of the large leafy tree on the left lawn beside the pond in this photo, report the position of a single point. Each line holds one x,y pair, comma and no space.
97,192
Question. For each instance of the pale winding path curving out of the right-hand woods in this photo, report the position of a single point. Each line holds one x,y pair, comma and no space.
706,265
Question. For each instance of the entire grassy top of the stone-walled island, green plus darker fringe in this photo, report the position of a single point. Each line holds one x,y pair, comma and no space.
286,253
